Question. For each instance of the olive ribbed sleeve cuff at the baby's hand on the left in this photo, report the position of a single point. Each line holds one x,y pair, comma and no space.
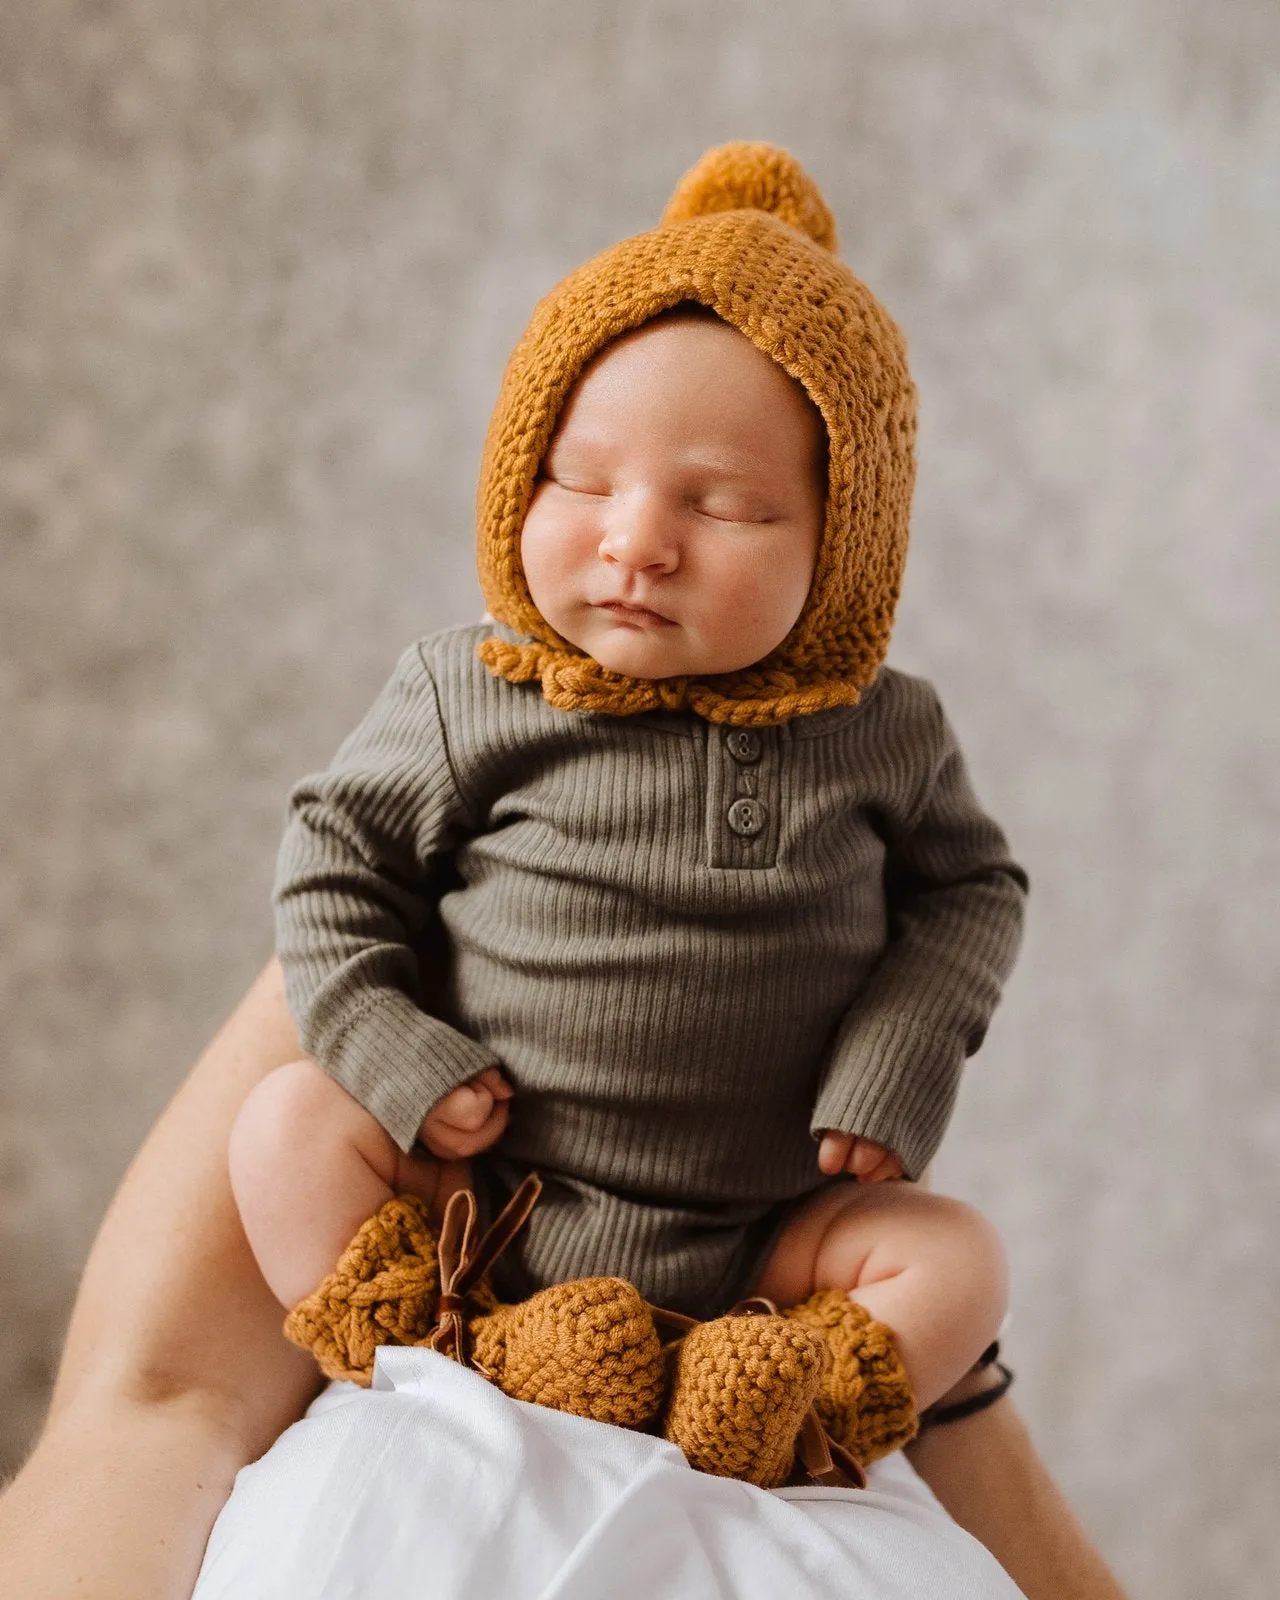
399,1063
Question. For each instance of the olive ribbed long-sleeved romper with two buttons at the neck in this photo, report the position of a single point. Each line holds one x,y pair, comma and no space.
687,945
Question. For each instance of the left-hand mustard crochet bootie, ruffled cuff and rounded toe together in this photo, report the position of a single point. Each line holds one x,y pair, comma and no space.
590,1348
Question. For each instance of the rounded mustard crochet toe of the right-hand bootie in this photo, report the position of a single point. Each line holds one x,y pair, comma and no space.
742,1390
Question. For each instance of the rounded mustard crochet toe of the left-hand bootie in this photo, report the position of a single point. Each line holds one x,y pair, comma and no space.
588,1348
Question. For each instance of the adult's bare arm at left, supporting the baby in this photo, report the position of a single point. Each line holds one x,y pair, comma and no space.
175,1372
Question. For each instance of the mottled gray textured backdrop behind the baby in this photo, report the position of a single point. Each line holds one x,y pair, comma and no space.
260,278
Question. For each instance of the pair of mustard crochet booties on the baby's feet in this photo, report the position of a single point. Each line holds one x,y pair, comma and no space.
740,1386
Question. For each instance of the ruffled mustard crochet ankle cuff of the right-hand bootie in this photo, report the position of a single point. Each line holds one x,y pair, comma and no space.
865,1399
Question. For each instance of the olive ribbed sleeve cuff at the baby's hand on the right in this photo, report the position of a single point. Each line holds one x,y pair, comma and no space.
895,1084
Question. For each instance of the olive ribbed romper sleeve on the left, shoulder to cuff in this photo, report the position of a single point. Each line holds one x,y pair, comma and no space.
353,898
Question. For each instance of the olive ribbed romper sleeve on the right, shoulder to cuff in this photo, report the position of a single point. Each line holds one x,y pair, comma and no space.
954,903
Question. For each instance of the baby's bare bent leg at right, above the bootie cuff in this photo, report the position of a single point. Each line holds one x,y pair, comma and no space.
932,1270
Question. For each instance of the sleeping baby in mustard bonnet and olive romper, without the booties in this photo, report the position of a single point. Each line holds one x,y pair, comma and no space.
660,882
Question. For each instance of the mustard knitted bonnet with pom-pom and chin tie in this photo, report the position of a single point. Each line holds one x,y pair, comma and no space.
750,236
